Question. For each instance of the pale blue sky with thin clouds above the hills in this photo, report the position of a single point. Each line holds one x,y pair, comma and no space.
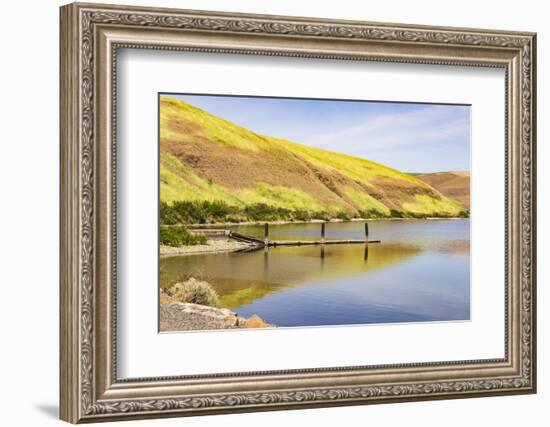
408,137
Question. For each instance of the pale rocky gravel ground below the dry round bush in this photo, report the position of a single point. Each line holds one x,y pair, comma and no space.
178,316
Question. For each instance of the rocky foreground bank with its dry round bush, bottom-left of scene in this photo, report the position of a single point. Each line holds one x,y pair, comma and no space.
192,305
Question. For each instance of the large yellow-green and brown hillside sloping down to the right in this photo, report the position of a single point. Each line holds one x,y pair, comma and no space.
206,158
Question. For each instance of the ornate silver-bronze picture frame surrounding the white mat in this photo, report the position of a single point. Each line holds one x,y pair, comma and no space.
90,37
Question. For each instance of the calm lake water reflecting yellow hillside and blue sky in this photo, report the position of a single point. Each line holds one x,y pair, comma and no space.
420,272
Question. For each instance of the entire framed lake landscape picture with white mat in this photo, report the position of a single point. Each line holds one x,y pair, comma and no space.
266,212
